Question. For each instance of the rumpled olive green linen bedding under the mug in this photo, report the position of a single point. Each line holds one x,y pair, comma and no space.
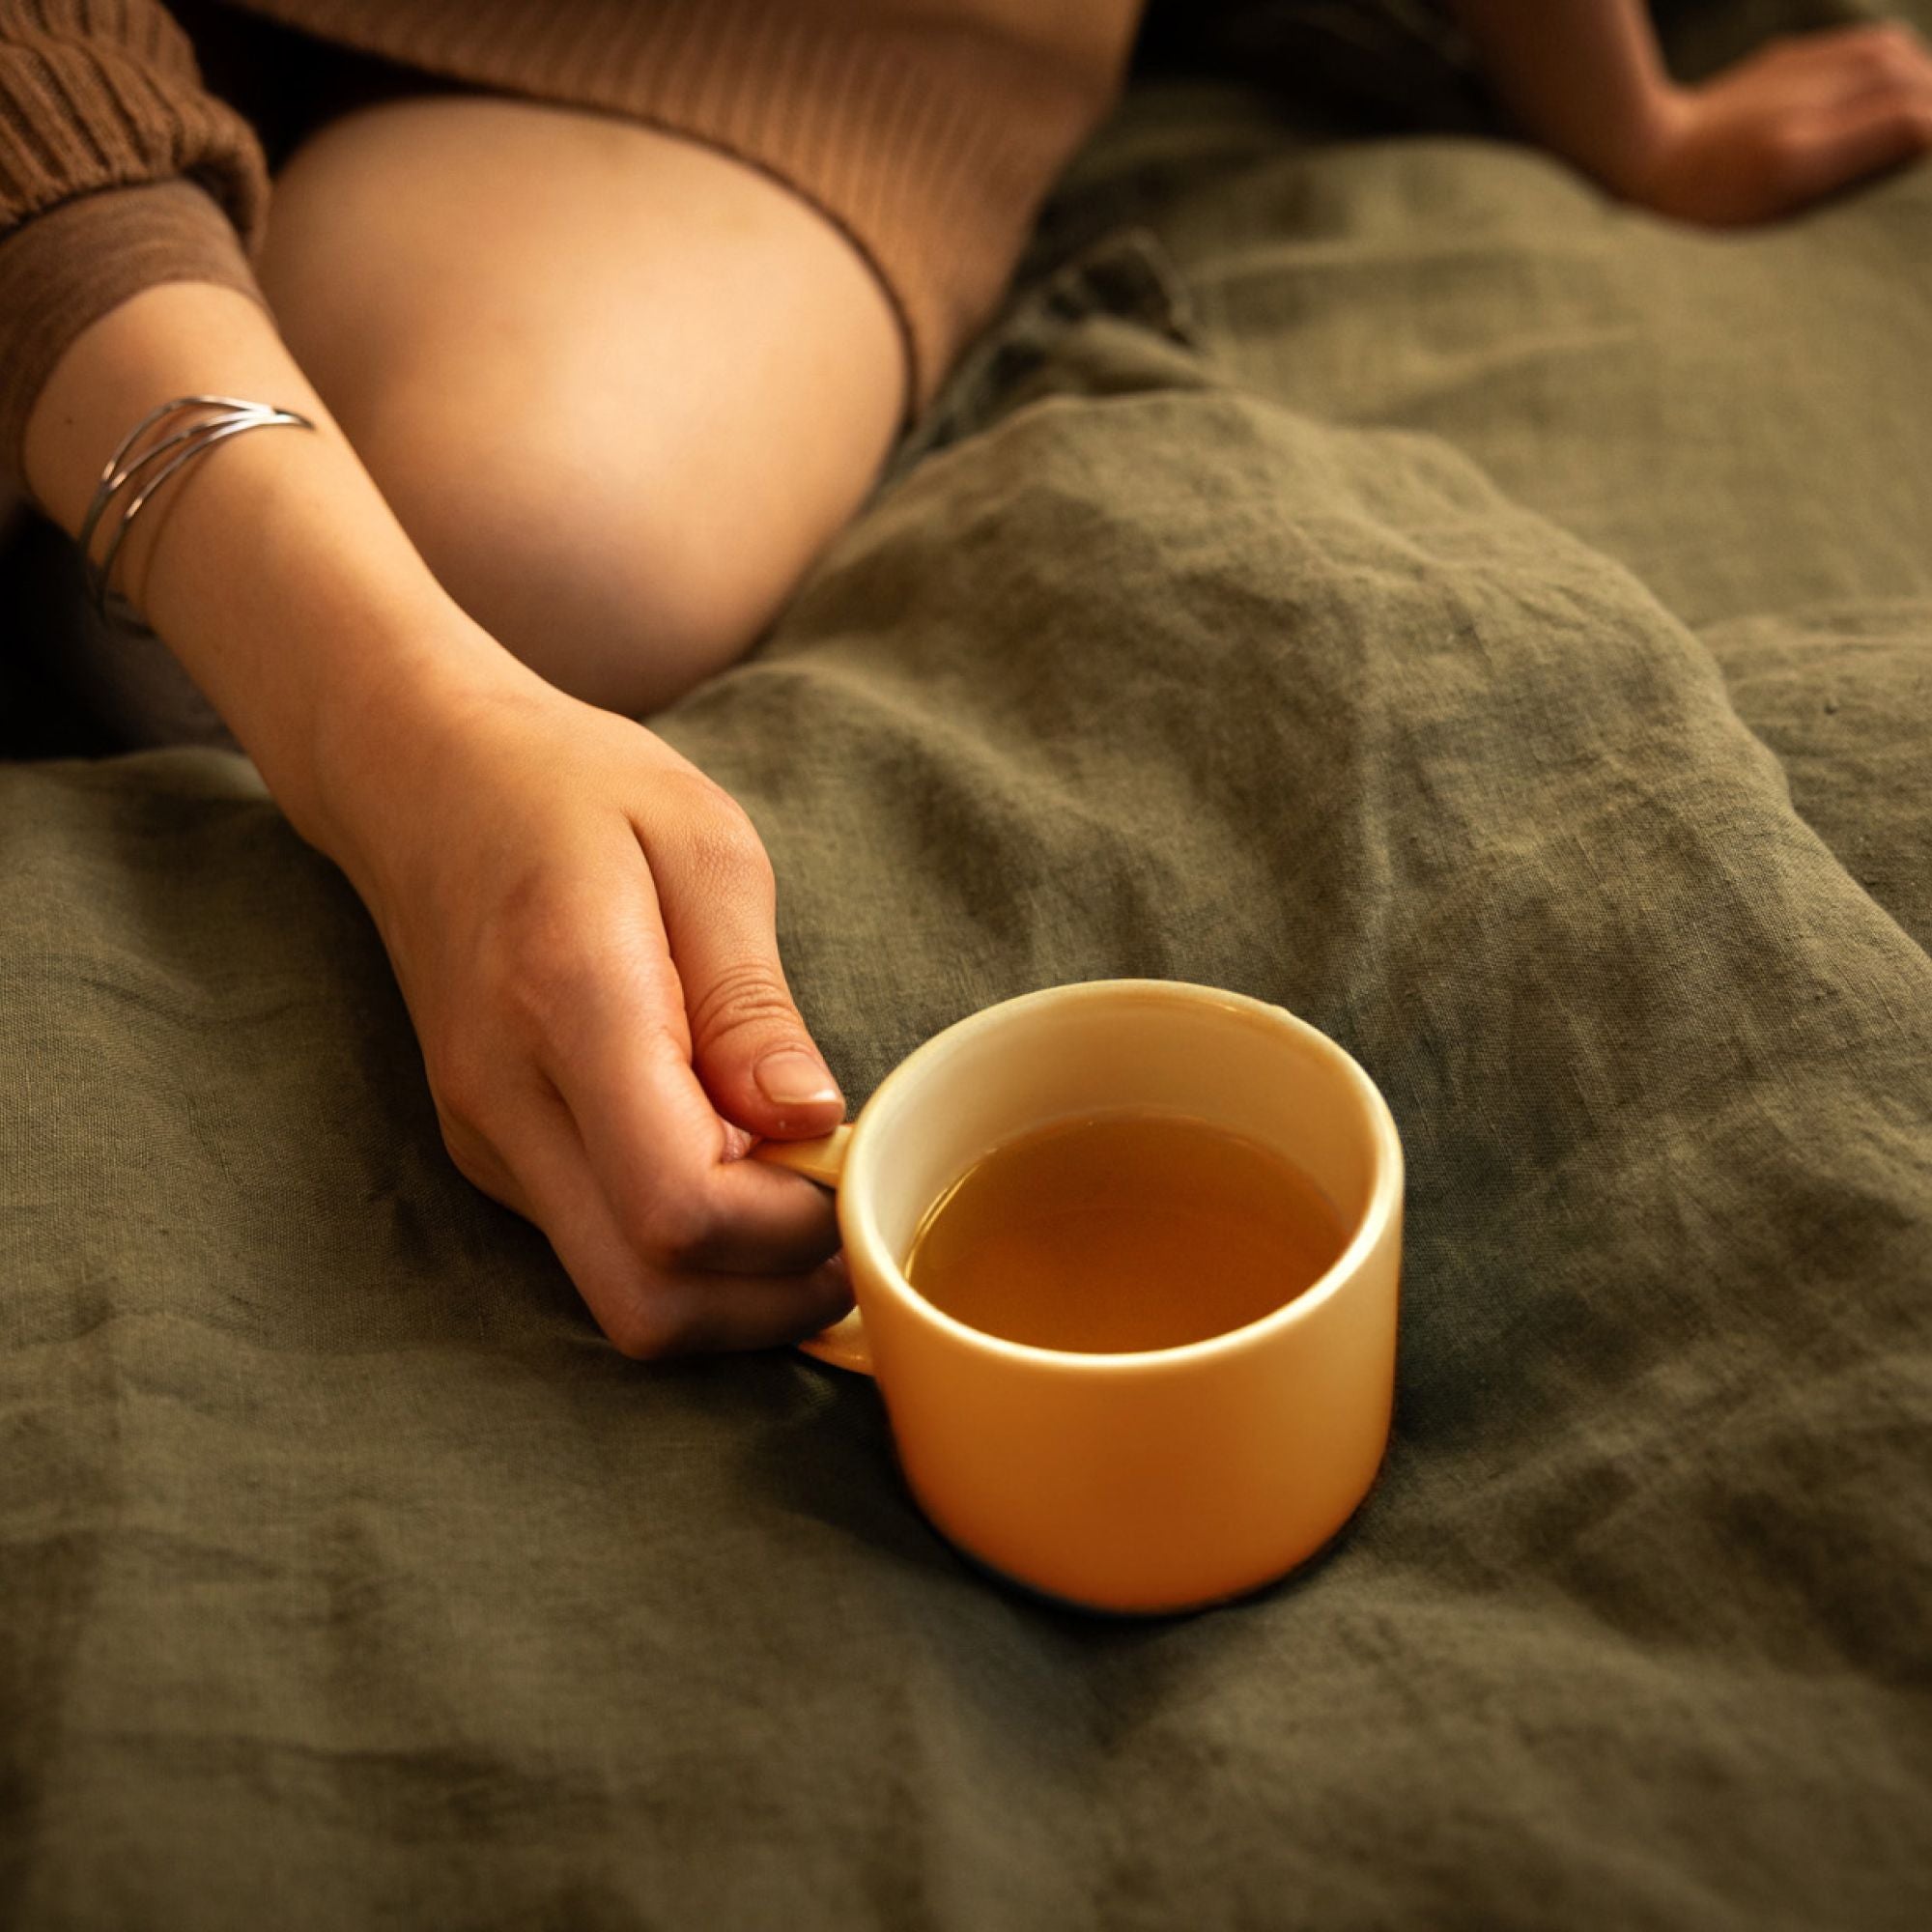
1373,575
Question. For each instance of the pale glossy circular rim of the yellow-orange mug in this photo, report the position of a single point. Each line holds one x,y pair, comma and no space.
861,1226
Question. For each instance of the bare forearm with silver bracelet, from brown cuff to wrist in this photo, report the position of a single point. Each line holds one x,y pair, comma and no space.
270,565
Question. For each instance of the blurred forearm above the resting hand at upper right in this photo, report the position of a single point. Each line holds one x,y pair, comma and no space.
1583,76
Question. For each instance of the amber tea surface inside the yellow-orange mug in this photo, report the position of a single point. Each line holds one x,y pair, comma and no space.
1123,1234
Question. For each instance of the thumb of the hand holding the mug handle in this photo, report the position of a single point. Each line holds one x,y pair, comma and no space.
751,1048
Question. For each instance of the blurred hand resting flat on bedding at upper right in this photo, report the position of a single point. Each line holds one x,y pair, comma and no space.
1784,128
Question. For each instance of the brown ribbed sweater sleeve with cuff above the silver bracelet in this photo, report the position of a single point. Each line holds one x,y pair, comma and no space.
117,171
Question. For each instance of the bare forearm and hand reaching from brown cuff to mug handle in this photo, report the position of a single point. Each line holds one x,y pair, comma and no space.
581,921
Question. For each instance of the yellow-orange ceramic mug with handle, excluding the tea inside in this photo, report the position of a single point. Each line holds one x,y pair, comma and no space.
1141,1483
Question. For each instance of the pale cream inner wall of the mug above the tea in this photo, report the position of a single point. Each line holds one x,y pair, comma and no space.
1116,1048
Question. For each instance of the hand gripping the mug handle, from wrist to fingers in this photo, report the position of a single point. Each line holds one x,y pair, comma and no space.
582,926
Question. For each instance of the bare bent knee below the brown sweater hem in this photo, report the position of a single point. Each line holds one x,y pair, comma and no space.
623,428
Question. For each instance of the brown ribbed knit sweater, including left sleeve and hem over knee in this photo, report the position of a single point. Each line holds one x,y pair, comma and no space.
928,130
